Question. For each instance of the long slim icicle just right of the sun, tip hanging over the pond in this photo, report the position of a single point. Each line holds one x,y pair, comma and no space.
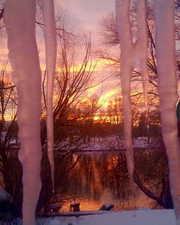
123,27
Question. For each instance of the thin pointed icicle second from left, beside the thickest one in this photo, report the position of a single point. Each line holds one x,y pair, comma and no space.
51,48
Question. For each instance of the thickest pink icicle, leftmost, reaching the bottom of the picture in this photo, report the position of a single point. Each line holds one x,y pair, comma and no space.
20,25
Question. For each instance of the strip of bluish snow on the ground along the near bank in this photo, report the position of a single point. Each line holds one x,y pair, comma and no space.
133,217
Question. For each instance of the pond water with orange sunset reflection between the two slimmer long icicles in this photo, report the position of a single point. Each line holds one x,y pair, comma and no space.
95,179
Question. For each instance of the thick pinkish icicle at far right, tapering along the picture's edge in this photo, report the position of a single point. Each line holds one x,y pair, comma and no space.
166,67
